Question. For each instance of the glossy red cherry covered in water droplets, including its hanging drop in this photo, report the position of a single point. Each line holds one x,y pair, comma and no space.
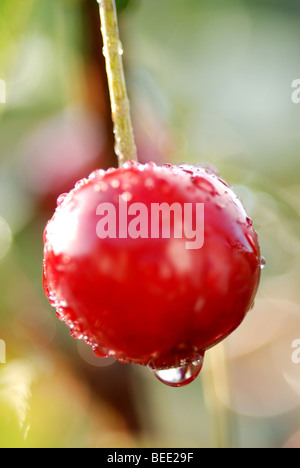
158,301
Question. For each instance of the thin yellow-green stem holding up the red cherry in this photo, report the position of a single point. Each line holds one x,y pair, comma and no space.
125,147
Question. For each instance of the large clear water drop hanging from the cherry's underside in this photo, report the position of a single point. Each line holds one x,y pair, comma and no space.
181,375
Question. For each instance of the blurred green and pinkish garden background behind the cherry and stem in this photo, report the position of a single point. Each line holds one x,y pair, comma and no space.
208,82
